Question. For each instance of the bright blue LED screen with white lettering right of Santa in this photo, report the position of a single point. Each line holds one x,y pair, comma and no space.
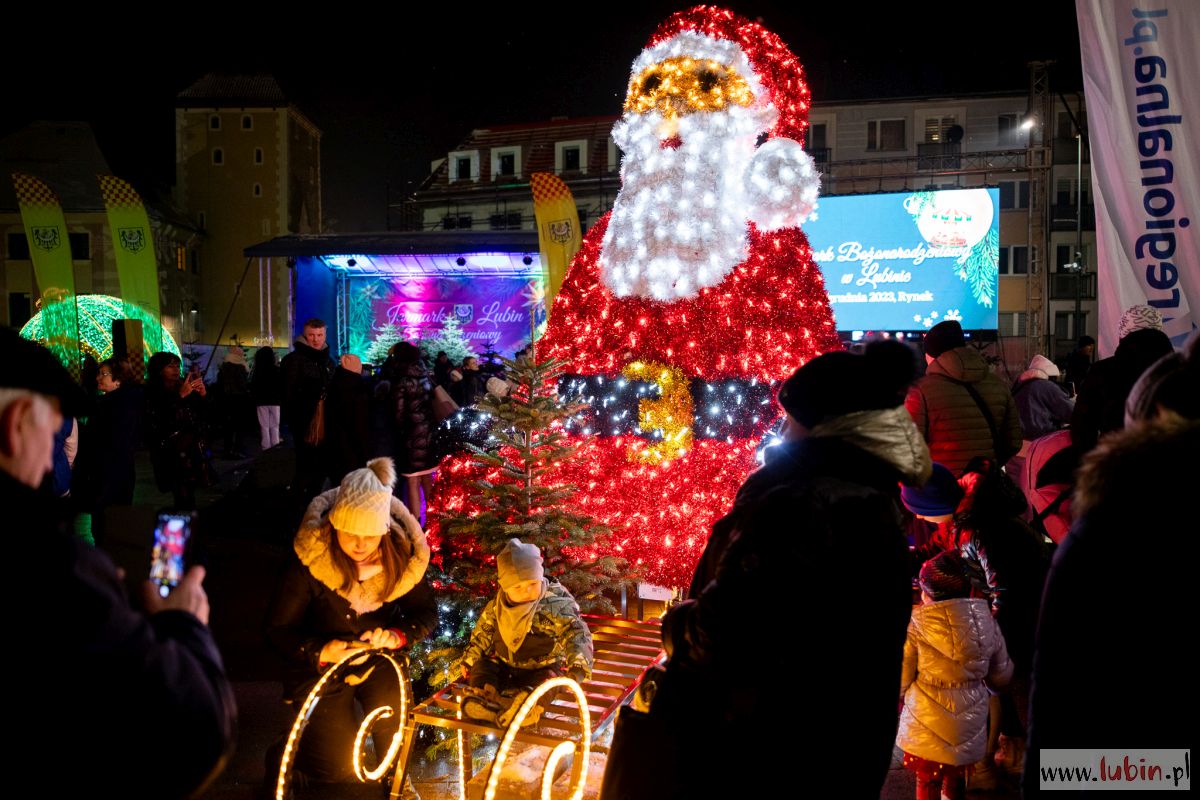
905,262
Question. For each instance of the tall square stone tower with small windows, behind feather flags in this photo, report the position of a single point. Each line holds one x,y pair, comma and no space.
248,169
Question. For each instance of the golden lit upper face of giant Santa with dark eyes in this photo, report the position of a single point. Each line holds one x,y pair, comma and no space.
682,86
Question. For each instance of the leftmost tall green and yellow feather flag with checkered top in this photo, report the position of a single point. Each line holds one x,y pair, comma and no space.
50,249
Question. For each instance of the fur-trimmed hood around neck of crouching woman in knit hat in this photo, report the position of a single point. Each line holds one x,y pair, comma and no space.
316,537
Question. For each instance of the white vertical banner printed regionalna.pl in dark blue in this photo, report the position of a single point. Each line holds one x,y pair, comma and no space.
1142,68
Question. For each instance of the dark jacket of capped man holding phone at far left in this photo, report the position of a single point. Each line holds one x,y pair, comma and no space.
146,699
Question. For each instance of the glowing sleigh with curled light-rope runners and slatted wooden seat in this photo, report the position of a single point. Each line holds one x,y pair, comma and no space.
625,653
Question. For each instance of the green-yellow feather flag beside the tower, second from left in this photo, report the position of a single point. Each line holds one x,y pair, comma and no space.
134,245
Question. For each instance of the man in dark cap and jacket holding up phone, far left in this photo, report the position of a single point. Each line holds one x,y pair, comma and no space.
142,697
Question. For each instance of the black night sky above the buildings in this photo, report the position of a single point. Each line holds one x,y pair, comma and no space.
394,93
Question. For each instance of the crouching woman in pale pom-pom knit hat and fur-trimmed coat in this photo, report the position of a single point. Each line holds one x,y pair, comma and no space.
359,579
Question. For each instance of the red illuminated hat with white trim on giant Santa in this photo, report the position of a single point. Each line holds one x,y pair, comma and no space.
776,68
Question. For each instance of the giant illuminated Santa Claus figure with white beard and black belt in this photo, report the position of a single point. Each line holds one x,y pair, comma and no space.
697,293
